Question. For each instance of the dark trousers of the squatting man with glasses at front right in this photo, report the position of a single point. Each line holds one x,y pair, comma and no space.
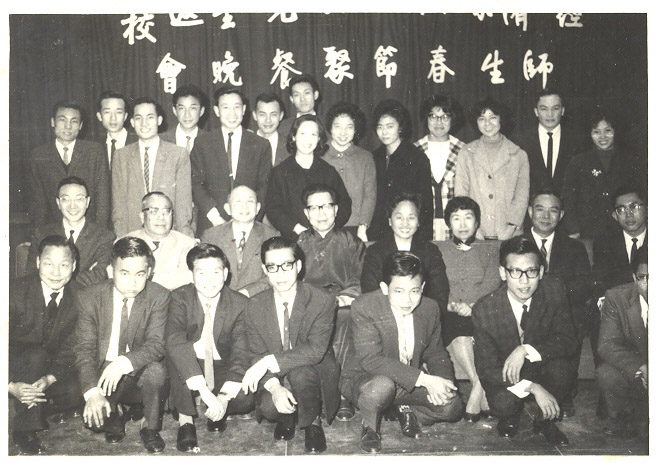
552,375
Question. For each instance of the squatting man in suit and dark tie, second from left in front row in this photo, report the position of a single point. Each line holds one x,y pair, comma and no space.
120,345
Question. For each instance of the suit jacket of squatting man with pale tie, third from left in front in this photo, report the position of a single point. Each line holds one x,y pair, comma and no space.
185,325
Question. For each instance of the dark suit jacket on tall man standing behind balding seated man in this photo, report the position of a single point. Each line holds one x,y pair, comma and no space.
211,184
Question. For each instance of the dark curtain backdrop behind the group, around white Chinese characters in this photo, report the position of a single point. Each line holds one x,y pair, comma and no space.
76,57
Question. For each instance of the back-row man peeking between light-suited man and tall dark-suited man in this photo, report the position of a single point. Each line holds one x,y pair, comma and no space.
188,105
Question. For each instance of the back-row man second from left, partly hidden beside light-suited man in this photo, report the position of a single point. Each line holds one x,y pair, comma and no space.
112,113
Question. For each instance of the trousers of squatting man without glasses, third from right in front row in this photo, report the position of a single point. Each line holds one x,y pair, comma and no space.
373,394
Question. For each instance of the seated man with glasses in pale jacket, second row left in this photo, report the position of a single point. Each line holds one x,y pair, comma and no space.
169,247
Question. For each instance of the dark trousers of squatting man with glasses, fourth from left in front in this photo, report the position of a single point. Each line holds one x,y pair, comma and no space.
306,386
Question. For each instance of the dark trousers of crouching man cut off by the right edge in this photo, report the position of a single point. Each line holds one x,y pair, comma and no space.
621,394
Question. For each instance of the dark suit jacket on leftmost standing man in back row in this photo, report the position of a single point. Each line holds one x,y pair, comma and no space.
44,170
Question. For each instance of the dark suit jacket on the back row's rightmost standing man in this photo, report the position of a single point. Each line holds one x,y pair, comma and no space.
539,178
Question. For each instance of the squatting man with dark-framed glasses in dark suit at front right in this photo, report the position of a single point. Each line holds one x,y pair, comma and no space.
524,337
